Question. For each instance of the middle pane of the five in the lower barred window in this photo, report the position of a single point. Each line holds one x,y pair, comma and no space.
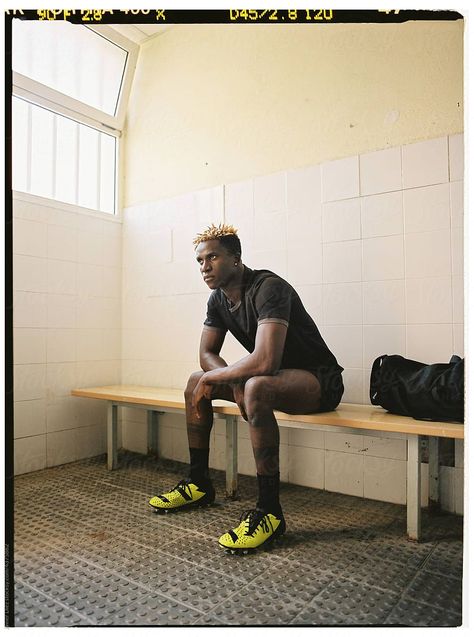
66,159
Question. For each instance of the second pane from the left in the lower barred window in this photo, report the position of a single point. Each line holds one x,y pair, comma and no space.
42,132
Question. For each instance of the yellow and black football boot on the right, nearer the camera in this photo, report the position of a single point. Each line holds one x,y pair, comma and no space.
256,529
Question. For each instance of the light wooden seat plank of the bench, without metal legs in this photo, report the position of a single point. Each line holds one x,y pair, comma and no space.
346,415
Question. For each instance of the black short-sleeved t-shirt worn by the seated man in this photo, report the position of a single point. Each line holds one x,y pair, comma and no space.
267,298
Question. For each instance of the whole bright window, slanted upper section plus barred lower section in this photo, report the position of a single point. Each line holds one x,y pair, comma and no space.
70,87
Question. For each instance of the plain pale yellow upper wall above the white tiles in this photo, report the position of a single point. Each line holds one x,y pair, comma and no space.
219,103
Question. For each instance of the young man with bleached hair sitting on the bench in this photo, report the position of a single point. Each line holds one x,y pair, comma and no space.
289,368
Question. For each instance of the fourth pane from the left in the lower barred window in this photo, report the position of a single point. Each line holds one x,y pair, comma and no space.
88,194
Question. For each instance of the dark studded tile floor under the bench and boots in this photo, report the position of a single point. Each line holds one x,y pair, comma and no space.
89,551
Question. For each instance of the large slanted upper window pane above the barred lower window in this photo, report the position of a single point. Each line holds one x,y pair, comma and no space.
70,58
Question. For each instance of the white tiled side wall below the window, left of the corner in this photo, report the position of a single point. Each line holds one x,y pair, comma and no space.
67,274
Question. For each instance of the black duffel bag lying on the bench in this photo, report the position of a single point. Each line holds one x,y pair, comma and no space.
425,392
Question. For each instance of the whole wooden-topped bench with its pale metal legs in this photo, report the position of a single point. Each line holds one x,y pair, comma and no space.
347,417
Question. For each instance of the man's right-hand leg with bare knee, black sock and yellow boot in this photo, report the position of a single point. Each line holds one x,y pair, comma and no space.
291,391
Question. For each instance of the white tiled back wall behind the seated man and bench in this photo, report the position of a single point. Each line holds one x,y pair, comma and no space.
372,243
